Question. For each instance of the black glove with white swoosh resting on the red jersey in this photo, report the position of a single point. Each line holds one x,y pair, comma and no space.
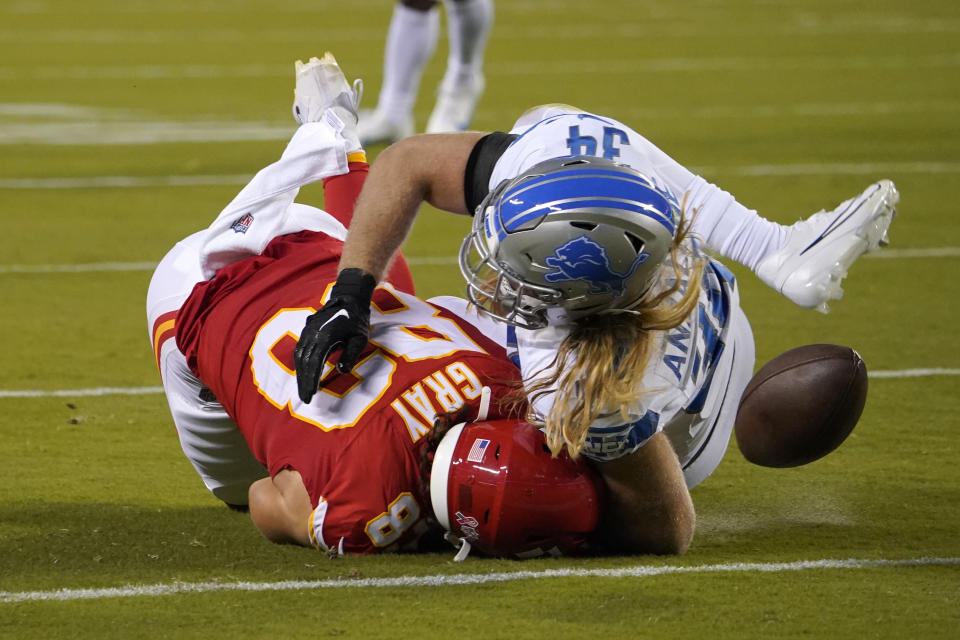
344,322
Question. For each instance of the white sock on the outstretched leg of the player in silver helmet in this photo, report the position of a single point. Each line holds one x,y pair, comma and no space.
732,230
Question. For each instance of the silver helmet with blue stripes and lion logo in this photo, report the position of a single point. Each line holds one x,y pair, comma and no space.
580,233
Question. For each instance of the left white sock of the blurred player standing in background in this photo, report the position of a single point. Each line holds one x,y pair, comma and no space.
411,41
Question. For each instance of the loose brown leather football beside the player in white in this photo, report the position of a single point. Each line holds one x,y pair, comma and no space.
801,405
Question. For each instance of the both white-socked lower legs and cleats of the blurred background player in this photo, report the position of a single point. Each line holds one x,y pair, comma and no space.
411,41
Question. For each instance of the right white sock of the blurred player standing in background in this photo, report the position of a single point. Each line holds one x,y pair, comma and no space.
468,28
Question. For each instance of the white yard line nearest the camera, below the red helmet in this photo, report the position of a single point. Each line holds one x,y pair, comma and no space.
452,580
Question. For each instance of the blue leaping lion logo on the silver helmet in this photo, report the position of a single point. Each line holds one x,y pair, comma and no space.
585,259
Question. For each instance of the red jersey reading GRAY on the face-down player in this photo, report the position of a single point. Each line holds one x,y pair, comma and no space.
358,443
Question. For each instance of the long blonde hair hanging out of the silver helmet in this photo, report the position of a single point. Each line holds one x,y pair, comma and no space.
599,366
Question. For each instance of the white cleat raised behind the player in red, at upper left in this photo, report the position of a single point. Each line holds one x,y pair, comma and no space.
321,85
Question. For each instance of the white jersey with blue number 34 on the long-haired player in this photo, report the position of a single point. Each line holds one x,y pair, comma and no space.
704,363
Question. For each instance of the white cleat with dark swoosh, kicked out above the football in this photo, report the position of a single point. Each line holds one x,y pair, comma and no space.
809,268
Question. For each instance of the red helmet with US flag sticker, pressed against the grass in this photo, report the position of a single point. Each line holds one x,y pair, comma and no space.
496,485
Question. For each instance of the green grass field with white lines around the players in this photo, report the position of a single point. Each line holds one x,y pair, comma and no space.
124,126
